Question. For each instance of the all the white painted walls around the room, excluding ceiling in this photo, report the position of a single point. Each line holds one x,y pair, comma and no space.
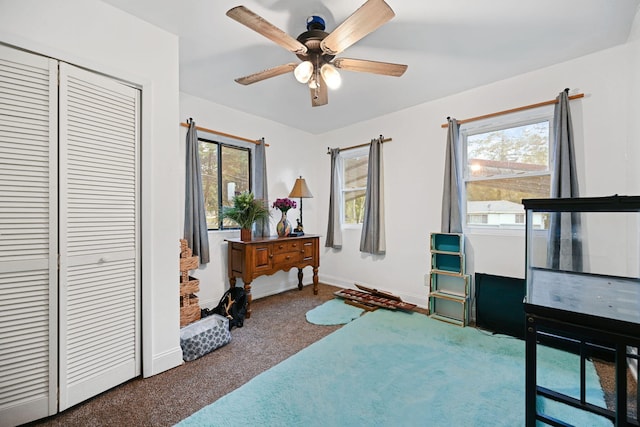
96,36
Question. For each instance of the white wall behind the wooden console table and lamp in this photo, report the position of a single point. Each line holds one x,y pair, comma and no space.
290,153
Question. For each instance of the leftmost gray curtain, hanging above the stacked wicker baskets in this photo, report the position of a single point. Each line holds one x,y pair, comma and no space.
195,219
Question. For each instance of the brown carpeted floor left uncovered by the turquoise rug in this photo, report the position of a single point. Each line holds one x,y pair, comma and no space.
277,329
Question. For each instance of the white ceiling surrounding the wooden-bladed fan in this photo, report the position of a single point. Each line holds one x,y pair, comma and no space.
450,46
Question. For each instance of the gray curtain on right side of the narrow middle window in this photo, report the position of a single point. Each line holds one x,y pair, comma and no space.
372,239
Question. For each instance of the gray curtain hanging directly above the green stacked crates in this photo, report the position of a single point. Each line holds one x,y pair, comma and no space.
451,195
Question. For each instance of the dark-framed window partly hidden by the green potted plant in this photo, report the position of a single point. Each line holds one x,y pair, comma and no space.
226,171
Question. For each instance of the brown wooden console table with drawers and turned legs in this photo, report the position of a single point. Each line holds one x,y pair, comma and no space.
265,256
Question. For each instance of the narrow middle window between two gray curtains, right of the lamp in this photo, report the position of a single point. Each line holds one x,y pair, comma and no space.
355,165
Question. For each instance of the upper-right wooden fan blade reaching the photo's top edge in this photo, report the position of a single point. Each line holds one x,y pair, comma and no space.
369,17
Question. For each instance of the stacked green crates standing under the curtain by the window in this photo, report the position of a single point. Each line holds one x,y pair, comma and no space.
448,284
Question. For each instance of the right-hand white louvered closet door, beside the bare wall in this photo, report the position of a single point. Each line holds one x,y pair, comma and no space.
99,249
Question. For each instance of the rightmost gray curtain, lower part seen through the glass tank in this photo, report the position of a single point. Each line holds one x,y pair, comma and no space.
565,244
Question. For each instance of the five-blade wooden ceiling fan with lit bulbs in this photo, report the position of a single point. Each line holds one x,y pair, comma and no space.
317,49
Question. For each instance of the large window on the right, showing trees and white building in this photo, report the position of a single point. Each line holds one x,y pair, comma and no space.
505,162
